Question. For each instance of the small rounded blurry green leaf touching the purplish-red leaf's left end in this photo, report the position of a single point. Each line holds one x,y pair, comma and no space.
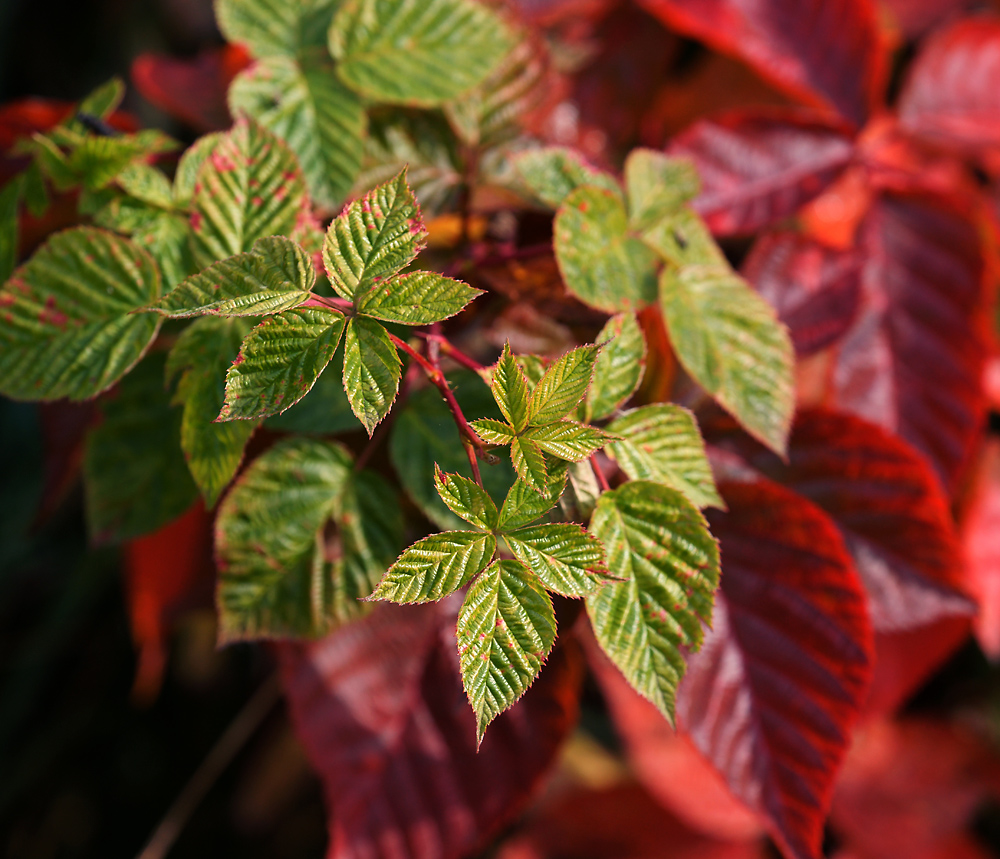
657,186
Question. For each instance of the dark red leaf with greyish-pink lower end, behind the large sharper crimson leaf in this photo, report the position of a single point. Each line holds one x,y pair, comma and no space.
889,507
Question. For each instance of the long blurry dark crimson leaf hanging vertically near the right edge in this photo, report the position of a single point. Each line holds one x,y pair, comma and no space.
913,360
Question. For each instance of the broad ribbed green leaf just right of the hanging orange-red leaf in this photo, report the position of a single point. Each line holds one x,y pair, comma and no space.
274,576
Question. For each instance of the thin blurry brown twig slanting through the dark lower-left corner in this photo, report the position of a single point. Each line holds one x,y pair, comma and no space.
228,745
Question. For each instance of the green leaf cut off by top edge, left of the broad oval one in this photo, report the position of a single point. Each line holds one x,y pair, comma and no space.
275,28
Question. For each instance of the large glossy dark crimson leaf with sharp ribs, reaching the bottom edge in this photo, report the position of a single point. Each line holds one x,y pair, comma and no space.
771,697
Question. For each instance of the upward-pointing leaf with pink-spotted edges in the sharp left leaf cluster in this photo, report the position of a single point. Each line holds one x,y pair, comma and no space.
373,239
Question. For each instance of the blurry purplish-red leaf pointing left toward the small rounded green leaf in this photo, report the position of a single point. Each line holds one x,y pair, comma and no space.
758,166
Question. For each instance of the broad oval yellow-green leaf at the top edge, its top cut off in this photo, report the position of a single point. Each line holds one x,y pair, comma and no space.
416,52
